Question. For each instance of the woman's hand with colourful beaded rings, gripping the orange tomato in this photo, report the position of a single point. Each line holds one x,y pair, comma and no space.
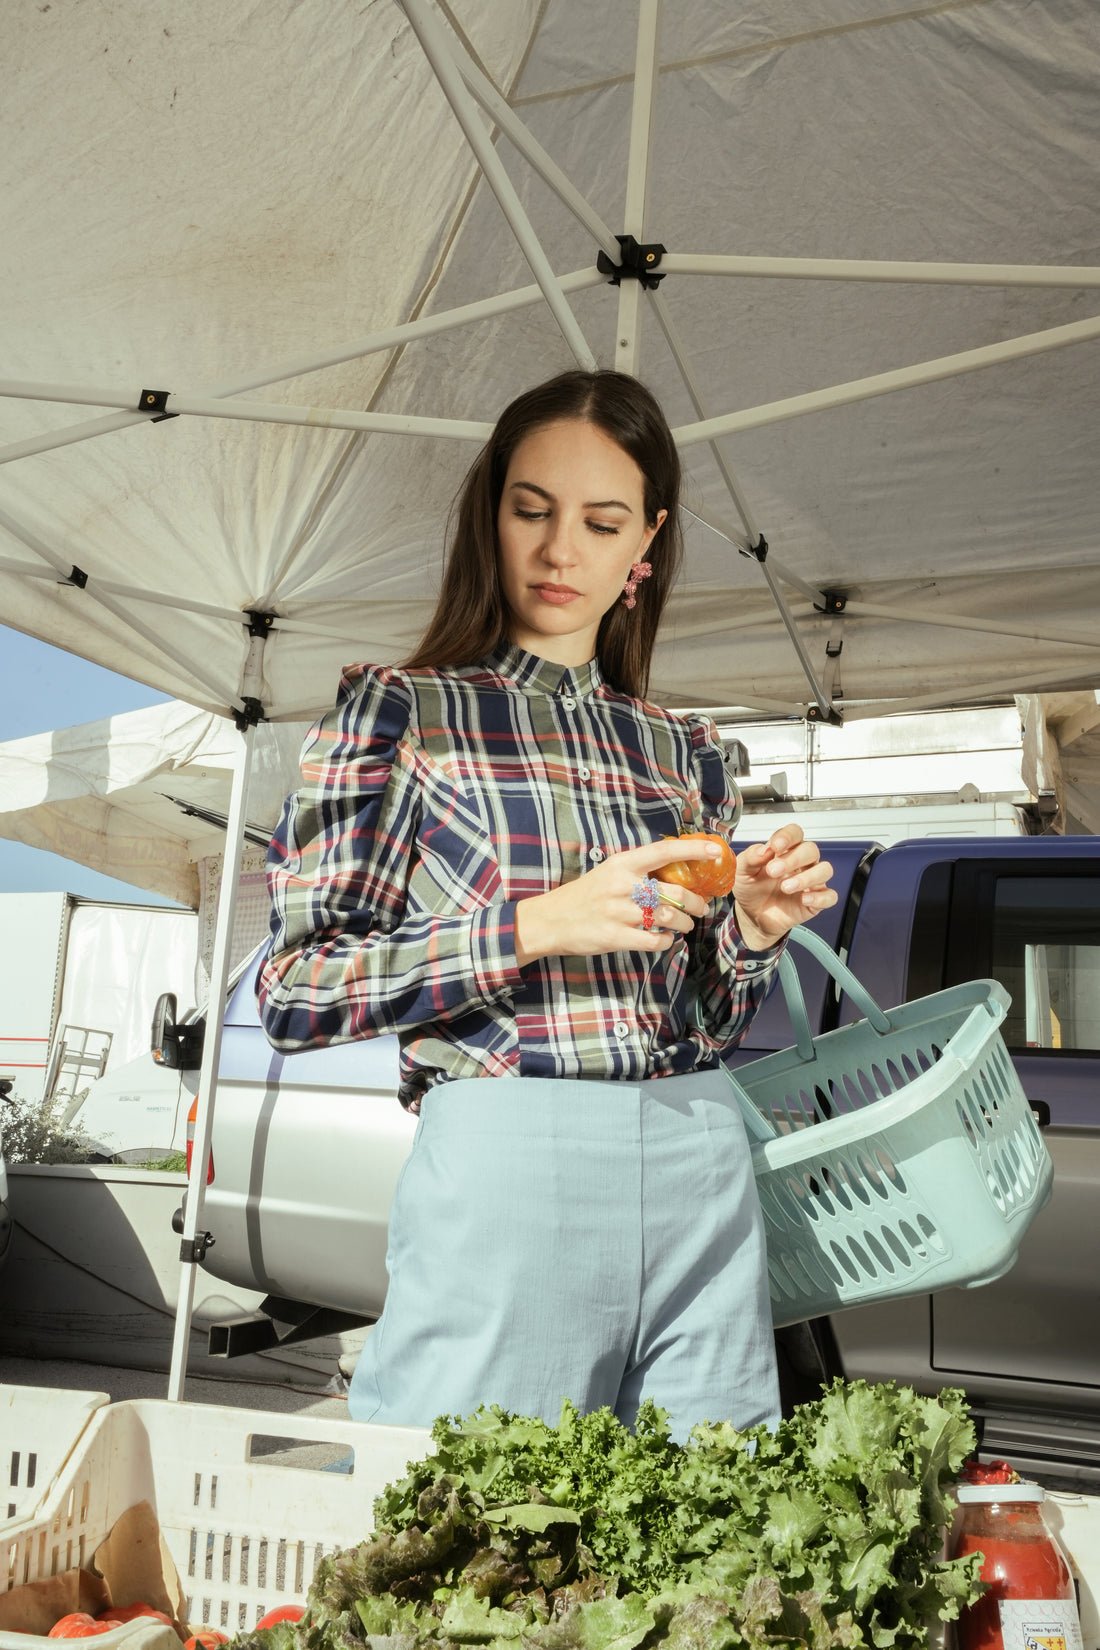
596,913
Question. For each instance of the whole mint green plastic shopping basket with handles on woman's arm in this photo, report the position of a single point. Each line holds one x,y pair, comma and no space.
895,1156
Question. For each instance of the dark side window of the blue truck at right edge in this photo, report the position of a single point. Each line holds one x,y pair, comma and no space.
1046,953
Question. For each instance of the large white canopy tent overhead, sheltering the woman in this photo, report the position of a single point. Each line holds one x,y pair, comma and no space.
332,242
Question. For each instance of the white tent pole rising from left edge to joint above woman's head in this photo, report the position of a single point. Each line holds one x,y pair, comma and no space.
374,344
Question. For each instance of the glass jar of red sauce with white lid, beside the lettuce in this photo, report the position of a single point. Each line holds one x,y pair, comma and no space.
1032,1603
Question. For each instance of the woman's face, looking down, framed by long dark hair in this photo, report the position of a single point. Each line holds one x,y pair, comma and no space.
570,527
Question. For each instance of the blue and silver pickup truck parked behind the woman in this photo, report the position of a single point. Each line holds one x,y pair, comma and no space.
308,1148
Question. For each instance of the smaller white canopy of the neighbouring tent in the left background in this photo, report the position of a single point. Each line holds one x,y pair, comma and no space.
110,794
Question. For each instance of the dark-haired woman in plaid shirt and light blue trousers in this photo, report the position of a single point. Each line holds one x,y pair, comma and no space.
471,862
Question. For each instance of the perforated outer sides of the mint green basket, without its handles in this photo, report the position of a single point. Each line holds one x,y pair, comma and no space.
928,1189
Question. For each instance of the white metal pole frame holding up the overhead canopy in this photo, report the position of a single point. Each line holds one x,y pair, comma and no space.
636,266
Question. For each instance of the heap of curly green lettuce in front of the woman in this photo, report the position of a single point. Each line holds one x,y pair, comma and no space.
517,1535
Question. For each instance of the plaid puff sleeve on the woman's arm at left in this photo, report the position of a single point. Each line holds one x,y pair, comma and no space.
349,958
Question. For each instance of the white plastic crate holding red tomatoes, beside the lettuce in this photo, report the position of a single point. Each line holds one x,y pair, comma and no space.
245,1529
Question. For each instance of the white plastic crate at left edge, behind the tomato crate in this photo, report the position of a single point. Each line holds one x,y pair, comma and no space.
39,1430
